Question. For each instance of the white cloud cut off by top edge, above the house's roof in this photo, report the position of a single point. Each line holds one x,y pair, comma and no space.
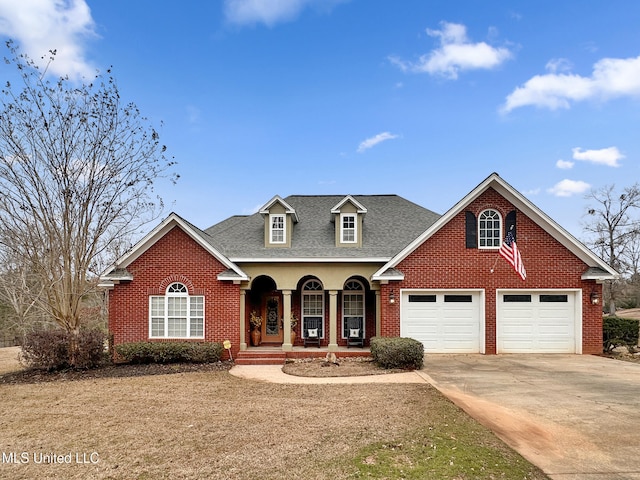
270,12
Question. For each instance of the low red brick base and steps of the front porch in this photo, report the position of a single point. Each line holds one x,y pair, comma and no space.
274,355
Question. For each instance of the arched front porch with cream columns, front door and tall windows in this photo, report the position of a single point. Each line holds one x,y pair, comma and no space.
281,311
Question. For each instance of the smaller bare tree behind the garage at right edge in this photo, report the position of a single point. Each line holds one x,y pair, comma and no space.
614,230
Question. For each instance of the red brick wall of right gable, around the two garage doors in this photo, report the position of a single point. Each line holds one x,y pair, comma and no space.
444,262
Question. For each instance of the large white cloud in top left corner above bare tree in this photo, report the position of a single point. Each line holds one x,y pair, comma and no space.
62,25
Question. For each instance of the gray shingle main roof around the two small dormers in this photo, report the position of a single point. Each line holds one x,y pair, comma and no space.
391,223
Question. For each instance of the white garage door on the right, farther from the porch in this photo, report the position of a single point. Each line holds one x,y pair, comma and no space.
536,322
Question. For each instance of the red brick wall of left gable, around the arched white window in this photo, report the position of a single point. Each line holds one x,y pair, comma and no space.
175,257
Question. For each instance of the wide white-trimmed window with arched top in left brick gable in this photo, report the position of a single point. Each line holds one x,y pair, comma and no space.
176,314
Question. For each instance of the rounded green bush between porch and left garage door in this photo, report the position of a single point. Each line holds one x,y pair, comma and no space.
396,352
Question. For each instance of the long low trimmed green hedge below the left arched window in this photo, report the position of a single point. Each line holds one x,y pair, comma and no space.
169,352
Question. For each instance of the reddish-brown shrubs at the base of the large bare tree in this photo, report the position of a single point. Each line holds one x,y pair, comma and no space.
52,349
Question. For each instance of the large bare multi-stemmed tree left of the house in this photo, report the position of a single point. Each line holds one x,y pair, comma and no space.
77,170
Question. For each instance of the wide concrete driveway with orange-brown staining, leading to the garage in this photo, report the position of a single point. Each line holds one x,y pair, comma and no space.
574,416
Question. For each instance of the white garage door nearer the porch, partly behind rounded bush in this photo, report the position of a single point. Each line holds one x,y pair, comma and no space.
445,322
